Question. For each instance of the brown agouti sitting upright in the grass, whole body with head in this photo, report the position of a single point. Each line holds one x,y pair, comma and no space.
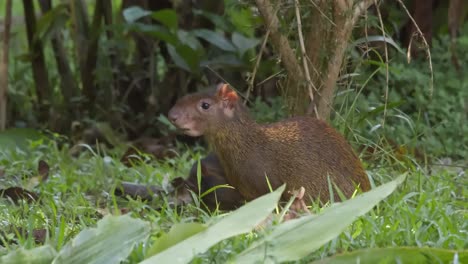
300,151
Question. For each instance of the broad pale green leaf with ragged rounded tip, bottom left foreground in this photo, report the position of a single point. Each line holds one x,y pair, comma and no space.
110,242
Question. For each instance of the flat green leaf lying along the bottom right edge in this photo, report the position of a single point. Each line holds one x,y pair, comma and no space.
399,255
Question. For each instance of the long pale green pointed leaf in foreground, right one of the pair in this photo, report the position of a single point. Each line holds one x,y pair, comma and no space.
297,238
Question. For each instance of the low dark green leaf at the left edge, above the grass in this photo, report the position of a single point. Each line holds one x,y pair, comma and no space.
13,138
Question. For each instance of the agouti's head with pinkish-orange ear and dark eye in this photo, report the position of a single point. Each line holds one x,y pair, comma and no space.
195,113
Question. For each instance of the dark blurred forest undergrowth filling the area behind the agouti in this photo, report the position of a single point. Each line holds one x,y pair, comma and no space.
77,67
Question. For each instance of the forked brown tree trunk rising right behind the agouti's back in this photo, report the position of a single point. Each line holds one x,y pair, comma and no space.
330,26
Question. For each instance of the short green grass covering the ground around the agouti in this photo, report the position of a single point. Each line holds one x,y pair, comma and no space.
430,209
